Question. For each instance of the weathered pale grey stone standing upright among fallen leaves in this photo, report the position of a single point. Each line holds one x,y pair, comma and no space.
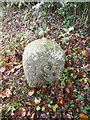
43,62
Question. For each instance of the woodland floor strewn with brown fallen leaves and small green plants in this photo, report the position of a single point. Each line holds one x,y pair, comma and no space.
68,99
